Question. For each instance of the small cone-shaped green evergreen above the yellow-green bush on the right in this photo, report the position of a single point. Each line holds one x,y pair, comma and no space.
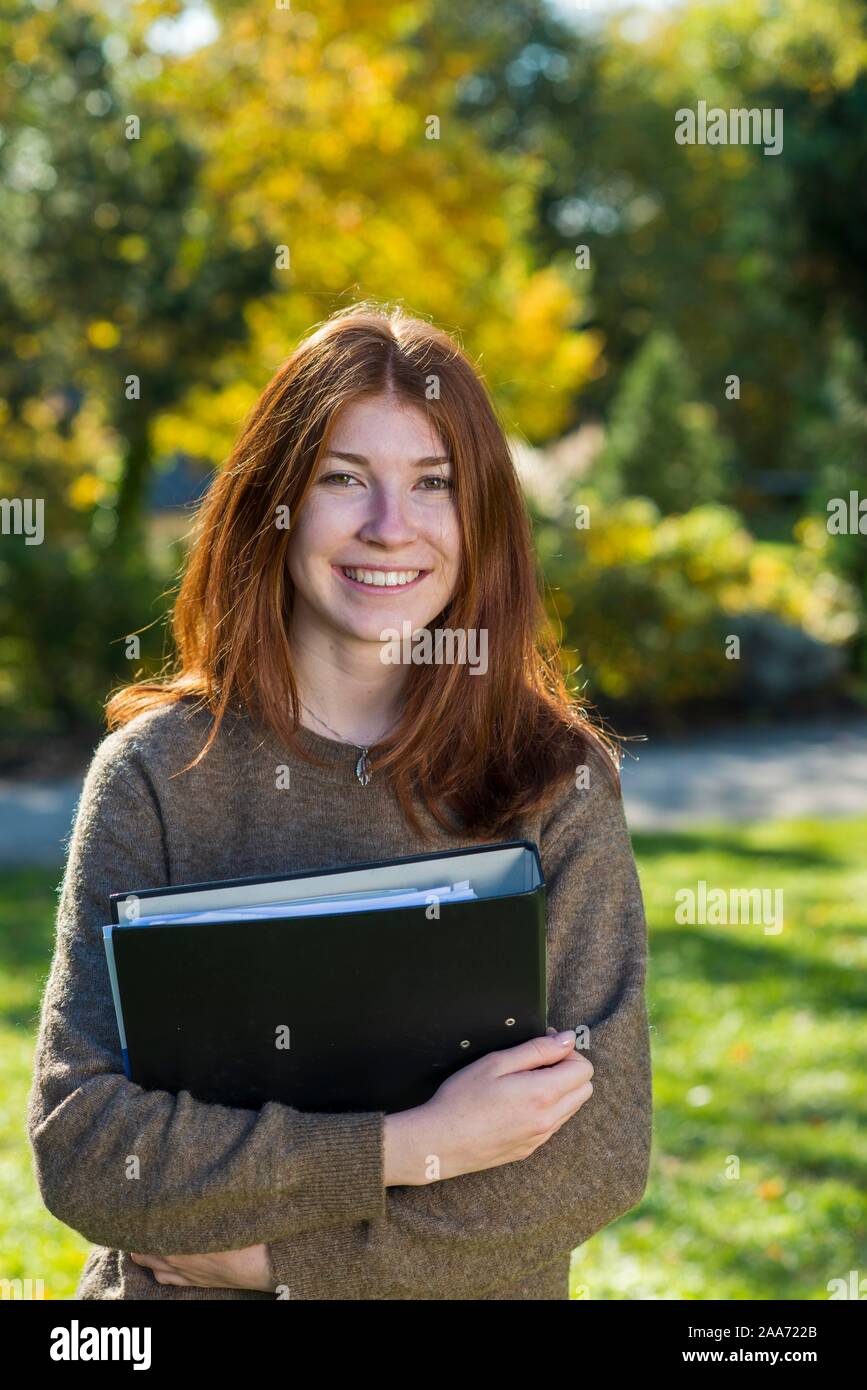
662,441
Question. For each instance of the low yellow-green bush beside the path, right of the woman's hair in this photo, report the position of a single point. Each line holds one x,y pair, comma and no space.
647,605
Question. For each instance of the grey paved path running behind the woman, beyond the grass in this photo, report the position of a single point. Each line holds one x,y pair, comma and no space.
818,769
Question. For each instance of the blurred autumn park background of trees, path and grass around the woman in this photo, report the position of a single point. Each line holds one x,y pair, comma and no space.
676,340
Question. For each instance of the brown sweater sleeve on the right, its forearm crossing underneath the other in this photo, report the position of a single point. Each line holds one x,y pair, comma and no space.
461,1238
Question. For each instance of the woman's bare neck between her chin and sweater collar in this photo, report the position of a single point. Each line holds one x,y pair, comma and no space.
347,686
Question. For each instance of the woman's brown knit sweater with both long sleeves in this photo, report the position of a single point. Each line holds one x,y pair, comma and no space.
311,1185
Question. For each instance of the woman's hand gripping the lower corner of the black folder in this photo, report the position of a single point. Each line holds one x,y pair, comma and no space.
494,1111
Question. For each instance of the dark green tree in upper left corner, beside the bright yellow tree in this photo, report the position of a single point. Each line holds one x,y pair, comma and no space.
119,287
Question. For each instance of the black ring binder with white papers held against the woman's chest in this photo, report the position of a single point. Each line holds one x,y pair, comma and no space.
354,1011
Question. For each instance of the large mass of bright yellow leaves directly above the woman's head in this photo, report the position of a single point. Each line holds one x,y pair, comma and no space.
322,147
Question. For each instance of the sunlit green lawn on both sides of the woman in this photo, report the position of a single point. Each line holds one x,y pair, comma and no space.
755,1056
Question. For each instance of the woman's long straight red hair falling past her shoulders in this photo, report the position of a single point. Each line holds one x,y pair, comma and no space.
484,749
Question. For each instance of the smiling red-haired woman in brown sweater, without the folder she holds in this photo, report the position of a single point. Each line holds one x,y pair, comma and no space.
372,489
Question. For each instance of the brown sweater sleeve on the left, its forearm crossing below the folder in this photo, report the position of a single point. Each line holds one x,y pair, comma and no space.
145,1170
